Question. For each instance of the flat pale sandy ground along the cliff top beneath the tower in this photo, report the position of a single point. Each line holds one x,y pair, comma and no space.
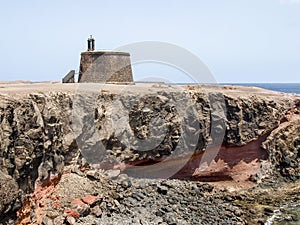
31,87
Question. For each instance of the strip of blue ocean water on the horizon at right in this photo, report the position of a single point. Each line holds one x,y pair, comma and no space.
281,87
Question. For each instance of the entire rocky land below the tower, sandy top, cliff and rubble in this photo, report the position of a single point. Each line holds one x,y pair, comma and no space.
148,153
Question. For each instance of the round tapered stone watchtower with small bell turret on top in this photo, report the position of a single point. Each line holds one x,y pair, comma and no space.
104,66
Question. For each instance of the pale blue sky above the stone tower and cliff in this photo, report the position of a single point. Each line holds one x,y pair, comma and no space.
239,40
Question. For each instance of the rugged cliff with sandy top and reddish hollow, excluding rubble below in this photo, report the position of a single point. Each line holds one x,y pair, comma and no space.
201,133
